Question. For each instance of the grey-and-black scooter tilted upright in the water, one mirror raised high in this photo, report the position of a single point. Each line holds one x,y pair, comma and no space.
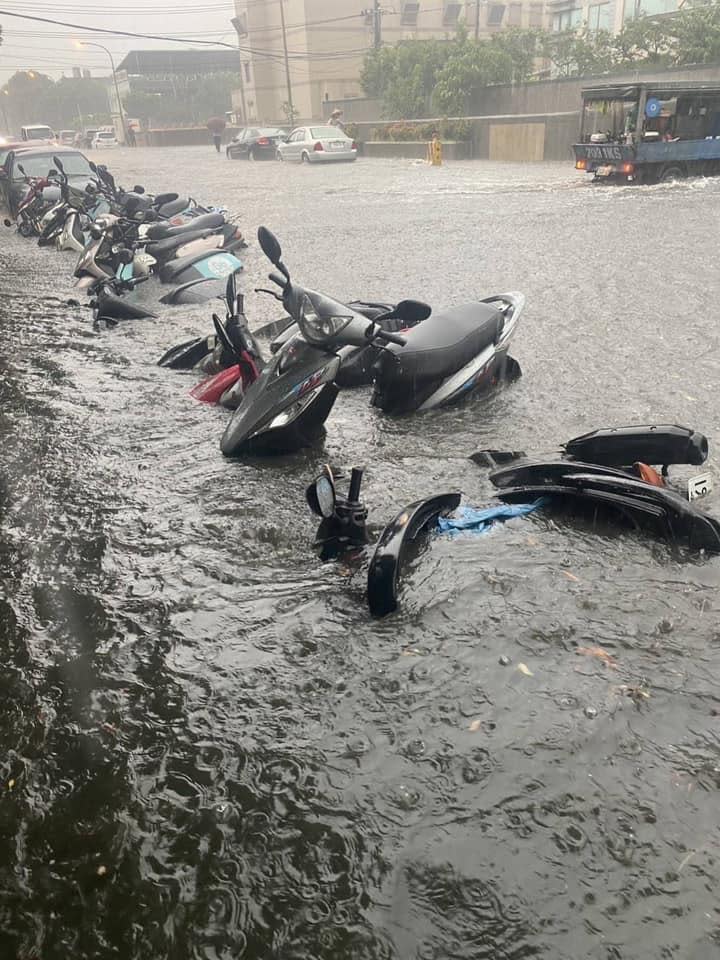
452,354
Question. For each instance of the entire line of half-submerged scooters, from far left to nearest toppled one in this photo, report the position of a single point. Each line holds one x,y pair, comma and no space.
415,359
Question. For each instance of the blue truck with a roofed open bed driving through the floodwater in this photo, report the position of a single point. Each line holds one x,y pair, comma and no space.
649,132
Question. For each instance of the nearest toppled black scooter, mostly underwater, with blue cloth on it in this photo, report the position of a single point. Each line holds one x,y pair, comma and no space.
606,475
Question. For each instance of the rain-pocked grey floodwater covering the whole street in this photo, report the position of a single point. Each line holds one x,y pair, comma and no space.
208,748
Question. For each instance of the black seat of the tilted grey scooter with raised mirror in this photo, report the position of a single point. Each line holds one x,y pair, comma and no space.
442,344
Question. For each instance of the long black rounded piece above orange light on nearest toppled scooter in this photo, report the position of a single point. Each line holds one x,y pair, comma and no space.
656,444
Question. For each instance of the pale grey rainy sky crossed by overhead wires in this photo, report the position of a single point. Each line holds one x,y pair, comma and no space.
50,49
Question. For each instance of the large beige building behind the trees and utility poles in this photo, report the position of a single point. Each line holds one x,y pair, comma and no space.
327,41
